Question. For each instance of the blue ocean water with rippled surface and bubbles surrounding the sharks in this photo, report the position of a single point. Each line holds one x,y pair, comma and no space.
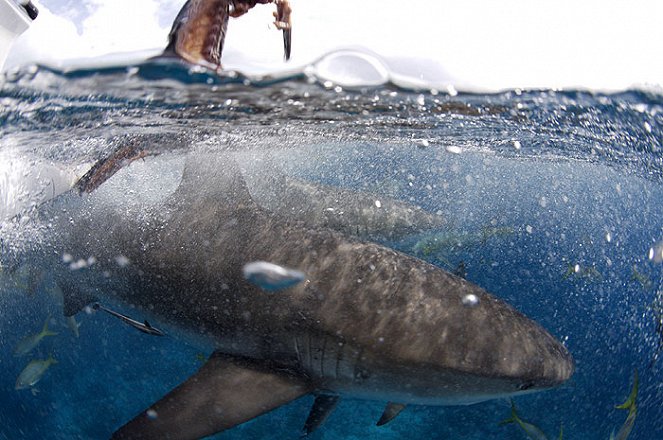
551,200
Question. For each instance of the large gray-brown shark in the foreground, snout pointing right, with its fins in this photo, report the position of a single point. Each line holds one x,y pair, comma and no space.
367,322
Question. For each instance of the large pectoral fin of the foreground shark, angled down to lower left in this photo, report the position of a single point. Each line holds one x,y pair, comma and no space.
225,392
